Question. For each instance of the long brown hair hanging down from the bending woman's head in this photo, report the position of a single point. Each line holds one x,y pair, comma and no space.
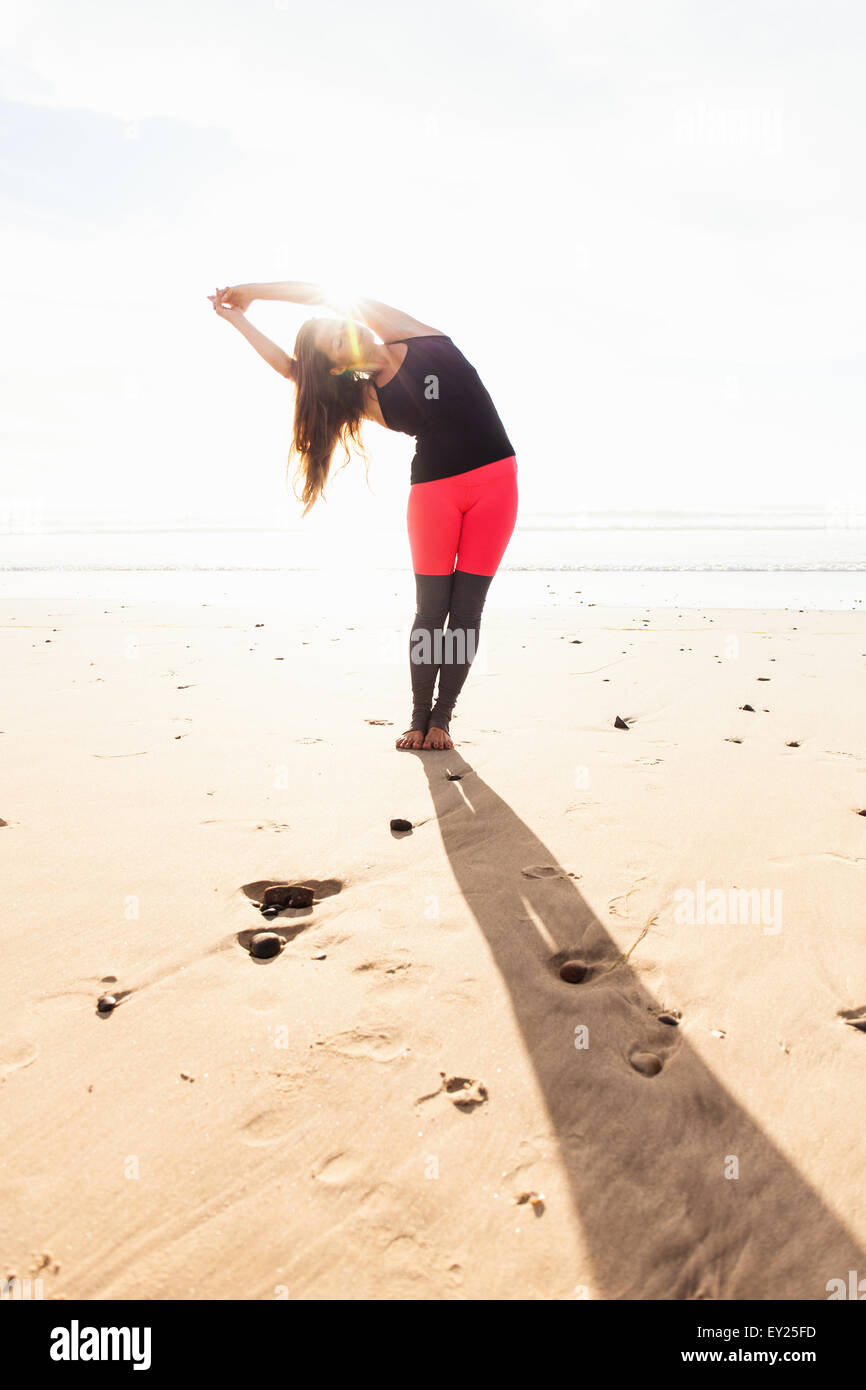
329,411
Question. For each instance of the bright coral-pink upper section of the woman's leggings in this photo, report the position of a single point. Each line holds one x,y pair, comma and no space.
465,522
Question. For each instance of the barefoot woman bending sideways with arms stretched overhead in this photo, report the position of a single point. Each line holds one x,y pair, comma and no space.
464,496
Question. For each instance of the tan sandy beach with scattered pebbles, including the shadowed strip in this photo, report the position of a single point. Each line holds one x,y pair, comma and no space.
408,1102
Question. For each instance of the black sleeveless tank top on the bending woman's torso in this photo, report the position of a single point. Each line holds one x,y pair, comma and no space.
440,398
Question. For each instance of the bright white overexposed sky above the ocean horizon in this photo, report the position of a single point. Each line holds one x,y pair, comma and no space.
644,223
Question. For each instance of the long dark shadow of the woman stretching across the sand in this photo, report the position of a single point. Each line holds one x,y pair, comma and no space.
646,1156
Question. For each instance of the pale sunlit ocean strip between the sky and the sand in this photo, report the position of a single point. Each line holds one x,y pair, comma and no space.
800,559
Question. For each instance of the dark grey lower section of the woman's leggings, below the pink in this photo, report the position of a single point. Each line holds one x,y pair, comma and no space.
439,651
